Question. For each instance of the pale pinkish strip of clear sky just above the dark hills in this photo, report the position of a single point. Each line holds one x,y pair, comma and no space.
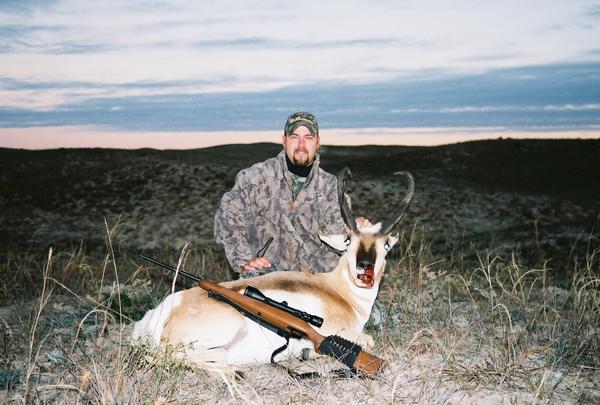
46,139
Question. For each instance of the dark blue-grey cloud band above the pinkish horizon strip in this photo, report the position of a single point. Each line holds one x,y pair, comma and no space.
556,96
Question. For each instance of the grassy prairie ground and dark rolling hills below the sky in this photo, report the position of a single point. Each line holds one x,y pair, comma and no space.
491,296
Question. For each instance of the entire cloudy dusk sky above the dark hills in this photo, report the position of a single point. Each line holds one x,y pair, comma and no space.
102,71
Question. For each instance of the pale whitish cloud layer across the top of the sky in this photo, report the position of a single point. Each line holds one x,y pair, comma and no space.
65,52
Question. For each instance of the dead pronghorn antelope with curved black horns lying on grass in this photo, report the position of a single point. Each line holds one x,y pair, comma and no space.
217,335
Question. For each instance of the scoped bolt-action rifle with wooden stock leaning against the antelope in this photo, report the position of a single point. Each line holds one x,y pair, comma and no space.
287,322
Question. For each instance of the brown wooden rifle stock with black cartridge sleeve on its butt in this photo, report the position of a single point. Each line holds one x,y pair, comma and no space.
345,351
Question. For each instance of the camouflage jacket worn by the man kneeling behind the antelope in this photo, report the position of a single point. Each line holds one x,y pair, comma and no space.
260,206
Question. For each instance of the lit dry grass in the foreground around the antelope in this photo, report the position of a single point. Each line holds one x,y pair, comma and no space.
468,327
